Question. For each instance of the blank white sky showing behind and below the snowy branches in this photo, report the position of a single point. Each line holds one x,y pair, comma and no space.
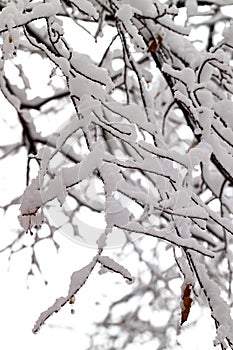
20,307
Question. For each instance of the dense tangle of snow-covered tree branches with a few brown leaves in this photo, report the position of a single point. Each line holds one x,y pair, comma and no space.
146,142
